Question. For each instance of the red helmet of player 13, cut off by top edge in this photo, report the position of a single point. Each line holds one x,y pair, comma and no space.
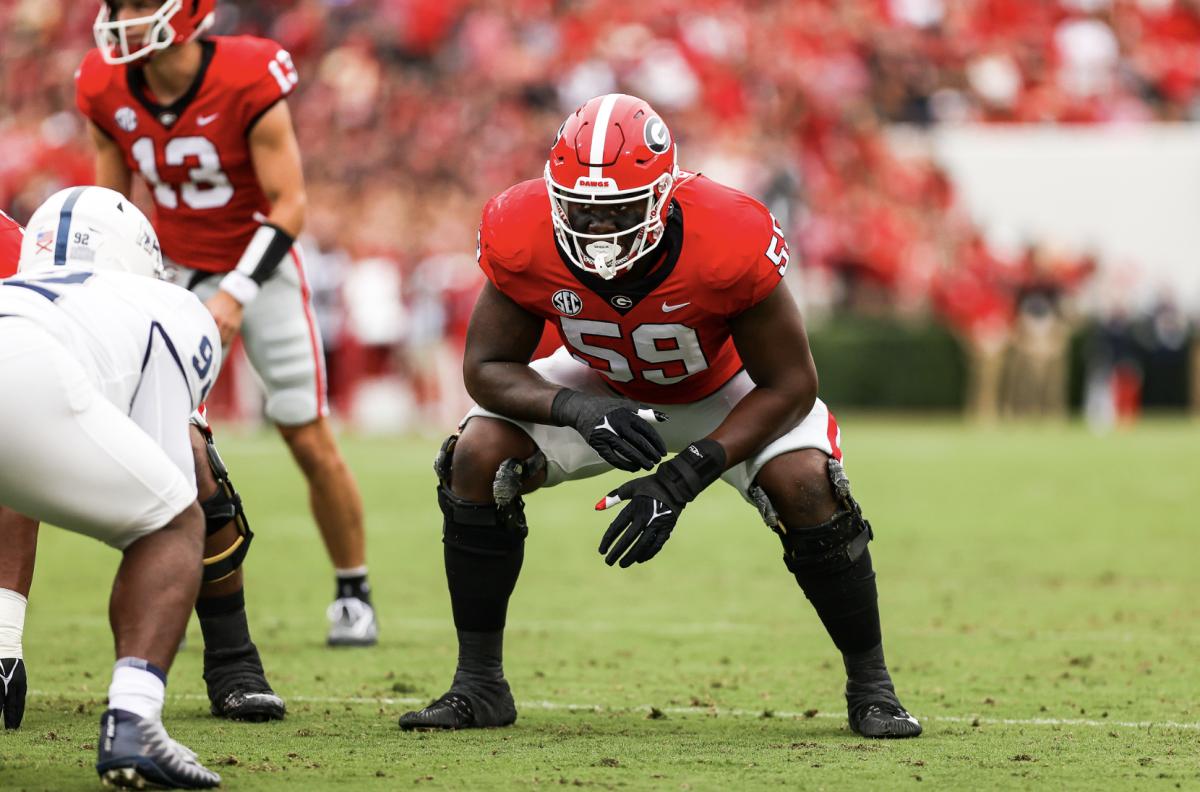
176,22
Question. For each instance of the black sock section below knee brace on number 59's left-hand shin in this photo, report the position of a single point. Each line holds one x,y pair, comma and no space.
481,587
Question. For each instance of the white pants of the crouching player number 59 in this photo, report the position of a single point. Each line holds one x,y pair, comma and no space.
569,457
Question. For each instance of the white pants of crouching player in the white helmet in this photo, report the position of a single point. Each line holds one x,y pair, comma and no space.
73,459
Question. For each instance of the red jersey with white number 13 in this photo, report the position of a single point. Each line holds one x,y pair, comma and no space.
195,154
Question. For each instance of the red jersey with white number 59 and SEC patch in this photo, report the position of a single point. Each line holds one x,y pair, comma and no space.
664,338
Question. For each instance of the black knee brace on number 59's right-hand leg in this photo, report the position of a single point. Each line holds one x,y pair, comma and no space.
829,549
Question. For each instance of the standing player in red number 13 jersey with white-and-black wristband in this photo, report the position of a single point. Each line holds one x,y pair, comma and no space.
206,123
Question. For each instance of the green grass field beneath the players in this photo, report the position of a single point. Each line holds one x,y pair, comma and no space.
1040,593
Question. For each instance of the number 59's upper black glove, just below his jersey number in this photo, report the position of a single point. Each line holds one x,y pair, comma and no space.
617,429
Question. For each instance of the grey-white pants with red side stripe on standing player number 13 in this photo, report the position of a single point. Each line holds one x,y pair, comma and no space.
283,341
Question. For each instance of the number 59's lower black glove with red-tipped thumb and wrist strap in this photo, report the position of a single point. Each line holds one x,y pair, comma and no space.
656,501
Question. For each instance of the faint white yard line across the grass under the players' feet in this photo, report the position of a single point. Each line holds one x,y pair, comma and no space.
554,706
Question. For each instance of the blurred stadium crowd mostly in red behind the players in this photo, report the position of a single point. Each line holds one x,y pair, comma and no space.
411,113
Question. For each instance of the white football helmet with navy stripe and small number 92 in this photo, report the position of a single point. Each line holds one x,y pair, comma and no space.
92,229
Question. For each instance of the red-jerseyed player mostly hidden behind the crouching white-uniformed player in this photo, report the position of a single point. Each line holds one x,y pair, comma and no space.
237,683
